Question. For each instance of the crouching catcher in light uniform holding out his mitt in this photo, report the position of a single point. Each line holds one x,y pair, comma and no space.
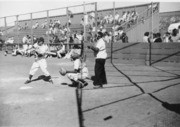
79,74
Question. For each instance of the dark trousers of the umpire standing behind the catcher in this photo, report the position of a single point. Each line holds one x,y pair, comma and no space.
100,74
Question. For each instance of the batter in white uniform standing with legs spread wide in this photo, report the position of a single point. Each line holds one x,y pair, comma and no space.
40,62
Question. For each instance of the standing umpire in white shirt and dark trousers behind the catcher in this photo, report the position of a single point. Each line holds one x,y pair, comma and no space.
100,54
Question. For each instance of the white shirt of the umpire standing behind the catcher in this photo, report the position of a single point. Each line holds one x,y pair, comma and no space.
101,45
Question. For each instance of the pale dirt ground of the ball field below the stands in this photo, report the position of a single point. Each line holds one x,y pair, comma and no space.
135,96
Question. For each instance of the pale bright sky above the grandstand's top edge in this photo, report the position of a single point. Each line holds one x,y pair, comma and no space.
16,7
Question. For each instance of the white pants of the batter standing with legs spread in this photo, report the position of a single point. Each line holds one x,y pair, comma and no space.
41,63
